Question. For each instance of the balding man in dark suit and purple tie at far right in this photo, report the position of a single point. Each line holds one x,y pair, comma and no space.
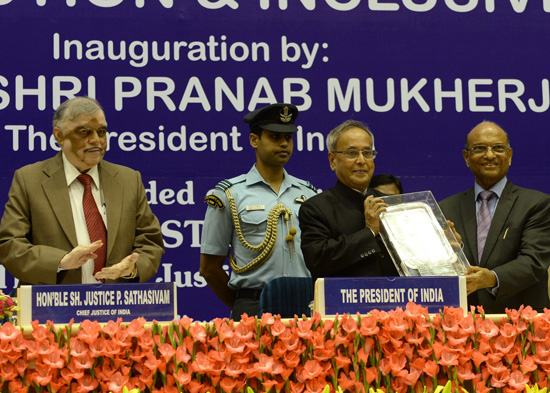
505,228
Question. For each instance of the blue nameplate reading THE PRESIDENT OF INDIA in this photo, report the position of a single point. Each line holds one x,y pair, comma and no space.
364,294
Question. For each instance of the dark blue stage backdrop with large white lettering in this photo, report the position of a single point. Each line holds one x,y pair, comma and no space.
176,77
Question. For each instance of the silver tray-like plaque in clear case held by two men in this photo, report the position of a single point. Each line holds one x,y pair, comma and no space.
418,238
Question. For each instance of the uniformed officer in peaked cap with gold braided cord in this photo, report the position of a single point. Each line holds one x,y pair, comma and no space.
257,215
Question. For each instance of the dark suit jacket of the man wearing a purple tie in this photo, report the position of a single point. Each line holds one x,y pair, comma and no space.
517,248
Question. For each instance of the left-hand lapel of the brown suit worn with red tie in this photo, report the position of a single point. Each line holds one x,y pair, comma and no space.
57,192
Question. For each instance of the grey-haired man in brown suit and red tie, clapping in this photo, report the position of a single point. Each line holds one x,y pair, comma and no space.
75,218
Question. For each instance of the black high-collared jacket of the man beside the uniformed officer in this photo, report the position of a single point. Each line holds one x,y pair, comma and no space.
335,241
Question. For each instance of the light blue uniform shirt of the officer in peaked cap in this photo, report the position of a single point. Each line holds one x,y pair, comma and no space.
254,198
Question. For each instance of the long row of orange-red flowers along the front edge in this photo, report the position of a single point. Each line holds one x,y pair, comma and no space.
396,351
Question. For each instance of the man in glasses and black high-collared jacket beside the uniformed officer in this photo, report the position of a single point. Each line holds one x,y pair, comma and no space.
340,226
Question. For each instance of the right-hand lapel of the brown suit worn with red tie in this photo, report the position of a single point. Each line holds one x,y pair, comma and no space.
113,191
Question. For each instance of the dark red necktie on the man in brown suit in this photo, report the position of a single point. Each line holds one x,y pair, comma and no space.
94,222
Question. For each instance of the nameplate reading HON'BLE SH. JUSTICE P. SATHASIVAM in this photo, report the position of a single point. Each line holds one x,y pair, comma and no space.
96,302
